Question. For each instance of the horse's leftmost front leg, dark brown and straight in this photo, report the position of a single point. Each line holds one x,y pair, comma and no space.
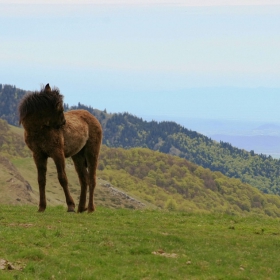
41,164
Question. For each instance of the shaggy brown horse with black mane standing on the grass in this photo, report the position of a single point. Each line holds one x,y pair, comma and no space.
49,132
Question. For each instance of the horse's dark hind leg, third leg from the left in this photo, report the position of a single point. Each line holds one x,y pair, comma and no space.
80,166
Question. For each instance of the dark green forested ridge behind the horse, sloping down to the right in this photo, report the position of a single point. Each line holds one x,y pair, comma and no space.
128,131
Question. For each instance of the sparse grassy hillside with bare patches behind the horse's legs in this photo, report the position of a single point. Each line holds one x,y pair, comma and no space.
18,177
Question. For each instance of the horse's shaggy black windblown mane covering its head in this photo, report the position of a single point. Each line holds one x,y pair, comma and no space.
38,101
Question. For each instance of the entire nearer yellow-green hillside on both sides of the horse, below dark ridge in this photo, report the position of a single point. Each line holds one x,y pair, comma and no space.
148,178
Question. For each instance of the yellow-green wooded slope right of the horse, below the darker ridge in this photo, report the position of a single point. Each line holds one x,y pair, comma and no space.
173,183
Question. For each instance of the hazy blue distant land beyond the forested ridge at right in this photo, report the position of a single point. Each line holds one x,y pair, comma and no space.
248,135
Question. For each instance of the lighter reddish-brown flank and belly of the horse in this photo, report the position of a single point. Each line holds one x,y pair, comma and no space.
75,135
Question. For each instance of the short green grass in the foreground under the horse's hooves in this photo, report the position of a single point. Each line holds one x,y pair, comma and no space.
118,244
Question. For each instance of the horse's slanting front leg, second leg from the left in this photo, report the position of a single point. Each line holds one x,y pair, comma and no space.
60,167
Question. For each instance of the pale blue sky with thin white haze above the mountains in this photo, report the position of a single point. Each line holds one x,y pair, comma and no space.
201,59
